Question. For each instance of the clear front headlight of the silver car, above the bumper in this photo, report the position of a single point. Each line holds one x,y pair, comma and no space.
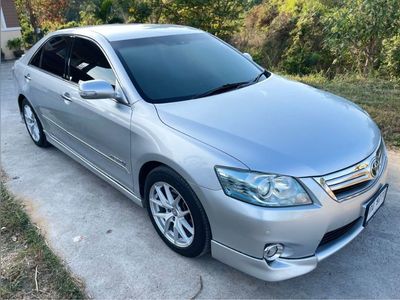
262,189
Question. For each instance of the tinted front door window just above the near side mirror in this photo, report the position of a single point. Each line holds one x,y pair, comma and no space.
88,63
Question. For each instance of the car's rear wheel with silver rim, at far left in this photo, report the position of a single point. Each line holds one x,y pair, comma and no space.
33,125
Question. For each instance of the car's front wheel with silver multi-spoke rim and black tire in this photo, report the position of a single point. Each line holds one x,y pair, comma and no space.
196,244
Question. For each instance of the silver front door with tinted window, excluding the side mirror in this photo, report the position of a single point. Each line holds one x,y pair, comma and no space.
98,130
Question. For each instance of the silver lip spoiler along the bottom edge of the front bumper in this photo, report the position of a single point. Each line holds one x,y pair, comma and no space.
282,268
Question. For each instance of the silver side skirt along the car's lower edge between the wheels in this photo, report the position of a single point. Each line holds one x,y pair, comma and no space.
83,161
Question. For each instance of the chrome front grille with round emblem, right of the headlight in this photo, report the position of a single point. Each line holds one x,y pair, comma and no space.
361,176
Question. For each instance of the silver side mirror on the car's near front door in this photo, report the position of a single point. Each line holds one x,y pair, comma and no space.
97,89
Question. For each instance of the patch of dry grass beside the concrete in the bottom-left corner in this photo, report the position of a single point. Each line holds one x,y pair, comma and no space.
29,269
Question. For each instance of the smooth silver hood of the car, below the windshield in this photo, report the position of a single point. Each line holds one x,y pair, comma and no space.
278,126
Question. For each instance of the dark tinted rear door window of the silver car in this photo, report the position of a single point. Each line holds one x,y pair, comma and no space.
54,55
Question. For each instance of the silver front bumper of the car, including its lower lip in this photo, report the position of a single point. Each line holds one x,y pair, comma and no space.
241,231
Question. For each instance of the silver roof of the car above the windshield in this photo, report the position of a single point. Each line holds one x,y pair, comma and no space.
117,32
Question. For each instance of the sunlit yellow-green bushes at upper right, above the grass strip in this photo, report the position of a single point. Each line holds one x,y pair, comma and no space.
332,36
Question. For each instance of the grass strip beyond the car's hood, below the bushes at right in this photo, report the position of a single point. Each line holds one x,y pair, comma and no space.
379,97
